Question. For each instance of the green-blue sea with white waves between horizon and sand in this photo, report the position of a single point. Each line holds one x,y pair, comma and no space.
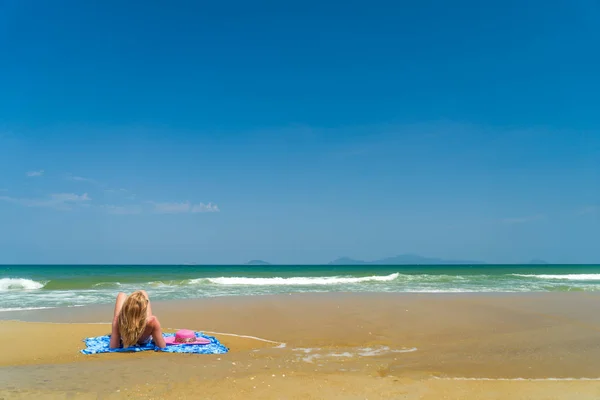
26,287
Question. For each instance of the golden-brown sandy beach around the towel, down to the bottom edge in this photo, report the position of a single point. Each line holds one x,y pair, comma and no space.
323,346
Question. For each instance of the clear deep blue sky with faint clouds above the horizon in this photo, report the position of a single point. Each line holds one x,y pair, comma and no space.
146,132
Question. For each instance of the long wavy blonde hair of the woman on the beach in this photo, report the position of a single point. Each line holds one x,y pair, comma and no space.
132,318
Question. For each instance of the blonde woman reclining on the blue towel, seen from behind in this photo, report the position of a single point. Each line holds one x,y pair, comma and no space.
133,322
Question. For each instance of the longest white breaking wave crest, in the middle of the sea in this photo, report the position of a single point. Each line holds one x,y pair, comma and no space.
296,281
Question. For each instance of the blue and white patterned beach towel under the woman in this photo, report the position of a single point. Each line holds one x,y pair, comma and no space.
100,344
